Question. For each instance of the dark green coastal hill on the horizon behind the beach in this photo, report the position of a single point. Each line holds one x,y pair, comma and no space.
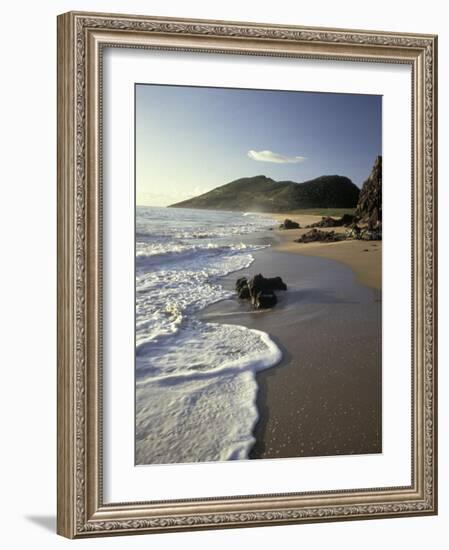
263,194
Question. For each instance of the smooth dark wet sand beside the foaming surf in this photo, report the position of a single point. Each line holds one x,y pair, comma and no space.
324,398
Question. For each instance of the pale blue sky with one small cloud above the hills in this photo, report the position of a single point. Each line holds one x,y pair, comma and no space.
190,140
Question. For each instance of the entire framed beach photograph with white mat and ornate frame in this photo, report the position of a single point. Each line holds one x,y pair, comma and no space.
246,274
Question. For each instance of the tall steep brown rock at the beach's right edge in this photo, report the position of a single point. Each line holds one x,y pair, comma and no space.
369,206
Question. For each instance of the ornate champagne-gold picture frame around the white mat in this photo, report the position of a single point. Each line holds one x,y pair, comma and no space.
82,38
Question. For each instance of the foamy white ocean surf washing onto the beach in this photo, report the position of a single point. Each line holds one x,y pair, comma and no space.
195,380
